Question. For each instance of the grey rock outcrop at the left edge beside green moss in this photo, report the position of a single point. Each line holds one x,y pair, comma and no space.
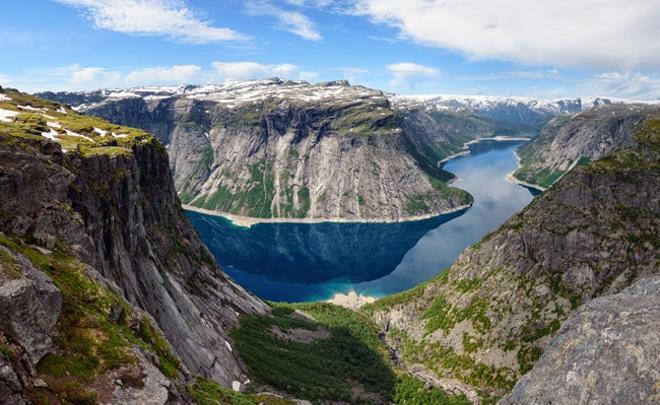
30,307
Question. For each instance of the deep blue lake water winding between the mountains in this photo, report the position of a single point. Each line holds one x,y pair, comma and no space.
303,262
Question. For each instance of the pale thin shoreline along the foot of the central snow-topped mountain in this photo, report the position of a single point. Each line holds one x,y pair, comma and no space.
247,222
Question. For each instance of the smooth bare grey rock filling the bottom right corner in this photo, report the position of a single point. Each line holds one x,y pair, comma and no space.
608,352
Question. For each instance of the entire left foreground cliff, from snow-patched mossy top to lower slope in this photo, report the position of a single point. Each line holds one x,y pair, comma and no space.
102,278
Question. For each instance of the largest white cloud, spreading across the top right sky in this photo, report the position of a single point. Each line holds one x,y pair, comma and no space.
606,34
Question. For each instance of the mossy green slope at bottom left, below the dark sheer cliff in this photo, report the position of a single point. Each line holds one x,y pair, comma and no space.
91,338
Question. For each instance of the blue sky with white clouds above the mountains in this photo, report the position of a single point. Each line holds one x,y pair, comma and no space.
545,49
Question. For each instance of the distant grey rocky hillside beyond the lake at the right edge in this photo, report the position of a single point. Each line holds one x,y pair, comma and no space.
569,141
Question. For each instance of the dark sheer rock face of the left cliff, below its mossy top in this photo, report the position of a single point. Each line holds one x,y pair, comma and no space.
120,215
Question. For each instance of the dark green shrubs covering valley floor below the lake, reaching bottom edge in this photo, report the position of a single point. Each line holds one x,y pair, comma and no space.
351,363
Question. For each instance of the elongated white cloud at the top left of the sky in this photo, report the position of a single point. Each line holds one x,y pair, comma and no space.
170,18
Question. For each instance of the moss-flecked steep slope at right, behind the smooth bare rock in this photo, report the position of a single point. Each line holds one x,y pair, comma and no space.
486,321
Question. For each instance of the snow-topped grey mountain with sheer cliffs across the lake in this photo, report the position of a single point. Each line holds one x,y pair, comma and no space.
273,148
